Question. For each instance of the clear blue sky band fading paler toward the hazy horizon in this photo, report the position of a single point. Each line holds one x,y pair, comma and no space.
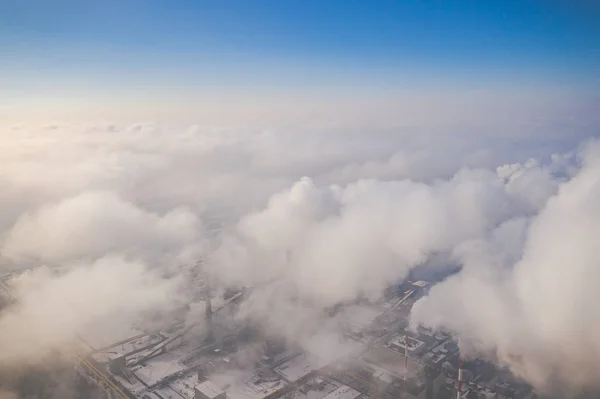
84,49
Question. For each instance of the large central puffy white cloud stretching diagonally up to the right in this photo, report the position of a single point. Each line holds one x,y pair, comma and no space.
319,246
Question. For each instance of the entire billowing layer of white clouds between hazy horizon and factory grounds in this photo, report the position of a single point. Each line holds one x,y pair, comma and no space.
110,212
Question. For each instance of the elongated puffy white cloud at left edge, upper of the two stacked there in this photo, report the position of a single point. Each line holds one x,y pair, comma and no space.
93,224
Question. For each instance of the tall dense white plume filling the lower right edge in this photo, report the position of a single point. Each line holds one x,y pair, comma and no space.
527,293
